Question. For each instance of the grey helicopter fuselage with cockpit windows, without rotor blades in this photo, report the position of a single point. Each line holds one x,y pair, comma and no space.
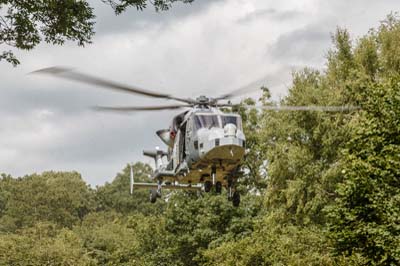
204,144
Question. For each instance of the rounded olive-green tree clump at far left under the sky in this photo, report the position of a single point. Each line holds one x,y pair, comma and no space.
61,198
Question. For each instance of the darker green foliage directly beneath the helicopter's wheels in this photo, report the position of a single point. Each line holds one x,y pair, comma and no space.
195,224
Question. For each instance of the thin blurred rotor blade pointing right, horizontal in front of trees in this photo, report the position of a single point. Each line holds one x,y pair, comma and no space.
299,108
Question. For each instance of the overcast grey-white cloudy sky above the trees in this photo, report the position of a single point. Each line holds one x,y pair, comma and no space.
208,47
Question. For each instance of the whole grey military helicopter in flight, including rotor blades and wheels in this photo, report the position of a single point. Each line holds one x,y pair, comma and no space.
204,146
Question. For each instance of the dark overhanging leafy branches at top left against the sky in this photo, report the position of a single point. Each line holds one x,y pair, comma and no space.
25,24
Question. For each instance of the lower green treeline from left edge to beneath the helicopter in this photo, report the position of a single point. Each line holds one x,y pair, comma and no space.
56,219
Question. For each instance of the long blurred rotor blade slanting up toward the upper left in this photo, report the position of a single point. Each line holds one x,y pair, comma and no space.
67,73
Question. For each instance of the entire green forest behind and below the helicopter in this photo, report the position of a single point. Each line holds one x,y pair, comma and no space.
318,188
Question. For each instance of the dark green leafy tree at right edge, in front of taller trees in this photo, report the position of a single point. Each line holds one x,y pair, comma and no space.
366,217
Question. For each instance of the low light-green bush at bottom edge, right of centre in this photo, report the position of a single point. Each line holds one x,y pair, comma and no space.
274,243
